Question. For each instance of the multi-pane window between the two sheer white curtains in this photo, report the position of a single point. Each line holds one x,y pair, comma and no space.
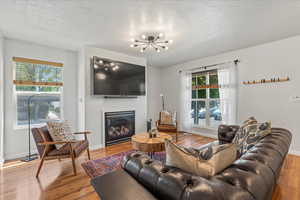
206,99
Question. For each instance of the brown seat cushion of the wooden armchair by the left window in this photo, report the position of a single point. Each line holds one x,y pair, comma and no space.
78,147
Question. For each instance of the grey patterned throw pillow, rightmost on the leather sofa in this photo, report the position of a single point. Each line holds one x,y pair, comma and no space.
255,132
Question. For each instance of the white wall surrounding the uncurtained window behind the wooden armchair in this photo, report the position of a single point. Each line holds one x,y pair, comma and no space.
15,141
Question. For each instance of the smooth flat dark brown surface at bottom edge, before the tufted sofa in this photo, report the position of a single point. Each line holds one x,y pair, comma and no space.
120,185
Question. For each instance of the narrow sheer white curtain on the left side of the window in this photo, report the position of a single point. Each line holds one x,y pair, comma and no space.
185,100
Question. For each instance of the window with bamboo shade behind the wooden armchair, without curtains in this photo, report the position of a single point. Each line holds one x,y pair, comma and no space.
40,83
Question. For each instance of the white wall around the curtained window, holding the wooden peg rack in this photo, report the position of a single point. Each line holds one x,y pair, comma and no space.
264,101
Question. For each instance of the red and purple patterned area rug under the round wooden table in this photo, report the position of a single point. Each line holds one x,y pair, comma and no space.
111,163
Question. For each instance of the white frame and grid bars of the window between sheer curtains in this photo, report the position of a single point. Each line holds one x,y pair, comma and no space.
207,101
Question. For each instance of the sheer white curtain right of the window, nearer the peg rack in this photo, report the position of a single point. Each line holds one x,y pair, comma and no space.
227,78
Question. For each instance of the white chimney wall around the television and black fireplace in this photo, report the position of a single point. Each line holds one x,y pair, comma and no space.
93,106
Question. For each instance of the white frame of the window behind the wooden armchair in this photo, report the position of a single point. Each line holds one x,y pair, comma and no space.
17,93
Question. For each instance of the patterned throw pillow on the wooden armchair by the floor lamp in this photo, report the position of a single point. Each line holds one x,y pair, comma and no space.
60,131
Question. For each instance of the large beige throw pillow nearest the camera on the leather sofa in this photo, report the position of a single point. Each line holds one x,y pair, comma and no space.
206,161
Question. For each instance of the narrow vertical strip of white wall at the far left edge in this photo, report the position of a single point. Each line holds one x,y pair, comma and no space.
1,98
